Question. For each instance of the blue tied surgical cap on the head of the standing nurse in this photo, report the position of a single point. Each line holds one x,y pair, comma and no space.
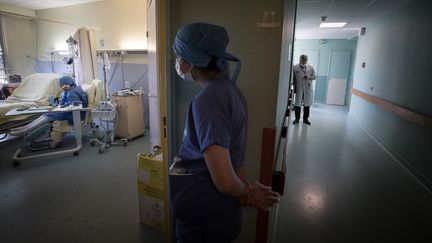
199,43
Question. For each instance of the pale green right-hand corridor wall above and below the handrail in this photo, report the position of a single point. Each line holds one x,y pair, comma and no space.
396,50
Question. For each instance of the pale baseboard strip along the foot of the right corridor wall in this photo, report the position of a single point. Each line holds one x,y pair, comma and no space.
404,163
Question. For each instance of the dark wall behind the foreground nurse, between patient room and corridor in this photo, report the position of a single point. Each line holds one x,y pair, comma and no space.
259,50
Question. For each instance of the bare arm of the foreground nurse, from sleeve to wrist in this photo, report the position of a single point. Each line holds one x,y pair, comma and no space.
223,175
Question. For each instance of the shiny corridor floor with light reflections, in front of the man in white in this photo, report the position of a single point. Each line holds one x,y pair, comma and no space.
342,187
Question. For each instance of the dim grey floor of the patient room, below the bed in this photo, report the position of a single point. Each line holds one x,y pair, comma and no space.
90,198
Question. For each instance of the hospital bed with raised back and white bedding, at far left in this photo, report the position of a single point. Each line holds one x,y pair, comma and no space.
33,91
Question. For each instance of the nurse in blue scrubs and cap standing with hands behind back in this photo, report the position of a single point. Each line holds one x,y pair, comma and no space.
208,179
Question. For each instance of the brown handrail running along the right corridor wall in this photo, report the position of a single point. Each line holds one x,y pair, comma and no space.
411,116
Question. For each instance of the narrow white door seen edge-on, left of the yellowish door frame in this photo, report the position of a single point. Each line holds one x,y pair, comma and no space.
153,76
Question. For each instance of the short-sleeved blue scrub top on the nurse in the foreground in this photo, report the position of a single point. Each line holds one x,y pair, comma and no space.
217,115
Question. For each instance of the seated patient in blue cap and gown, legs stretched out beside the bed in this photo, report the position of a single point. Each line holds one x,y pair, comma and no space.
71,94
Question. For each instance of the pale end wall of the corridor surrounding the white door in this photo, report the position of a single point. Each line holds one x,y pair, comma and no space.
324,52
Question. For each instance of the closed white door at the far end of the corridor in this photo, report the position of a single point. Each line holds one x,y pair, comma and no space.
339,66
